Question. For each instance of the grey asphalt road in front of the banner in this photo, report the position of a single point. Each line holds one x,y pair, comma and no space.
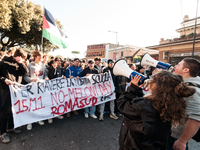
74,133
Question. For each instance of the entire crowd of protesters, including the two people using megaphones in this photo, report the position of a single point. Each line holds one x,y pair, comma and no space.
151,121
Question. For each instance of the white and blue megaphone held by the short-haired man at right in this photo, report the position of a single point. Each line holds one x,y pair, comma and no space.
147,60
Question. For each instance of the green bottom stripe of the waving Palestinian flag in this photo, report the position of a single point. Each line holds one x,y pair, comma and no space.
54,40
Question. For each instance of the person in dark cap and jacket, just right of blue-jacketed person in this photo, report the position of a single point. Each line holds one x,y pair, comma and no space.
86,72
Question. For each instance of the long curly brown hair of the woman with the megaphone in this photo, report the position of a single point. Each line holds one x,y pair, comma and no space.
167,96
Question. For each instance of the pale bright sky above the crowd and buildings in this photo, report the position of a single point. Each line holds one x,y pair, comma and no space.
138,22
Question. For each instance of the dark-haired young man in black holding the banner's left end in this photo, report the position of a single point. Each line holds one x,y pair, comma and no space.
12,70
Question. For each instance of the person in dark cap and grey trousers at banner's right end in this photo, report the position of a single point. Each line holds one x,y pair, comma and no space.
112,102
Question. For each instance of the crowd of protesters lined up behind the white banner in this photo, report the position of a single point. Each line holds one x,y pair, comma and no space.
36,66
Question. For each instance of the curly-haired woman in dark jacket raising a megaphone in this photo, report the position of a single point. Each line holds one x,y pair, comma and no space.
148,119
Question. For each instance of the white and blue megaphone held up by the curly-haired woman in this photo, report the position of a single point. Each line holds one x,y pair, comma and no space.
121,68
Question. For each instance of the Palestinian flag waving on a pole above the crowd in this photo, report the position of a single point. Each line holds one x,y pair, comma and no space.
51,32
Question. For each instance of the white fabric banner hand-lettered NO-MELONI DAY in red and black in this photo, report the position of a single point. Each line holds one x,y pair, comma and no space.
47,99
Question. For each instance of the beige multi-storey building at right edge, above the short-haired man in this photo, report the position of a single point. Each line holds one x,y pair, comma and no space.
174,50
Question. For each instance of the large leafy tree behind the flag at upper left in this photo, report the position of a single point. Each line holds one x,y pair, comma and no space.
21,25
